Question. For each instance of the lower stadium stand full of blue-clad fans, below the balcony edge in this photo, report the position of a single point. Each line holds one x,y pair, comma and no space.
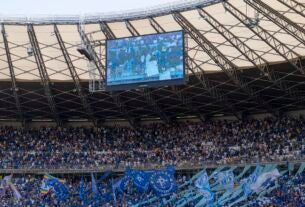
287,190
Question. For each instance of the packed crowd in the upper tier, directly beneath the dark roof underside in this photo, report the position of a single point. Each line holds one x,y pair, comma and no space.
178,144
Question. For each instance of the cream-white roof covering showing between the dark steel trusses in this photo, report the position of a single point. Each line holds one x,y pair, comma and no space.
25,66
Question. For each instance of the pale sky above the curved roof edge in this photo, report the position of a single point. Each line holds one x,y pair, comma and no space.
72,7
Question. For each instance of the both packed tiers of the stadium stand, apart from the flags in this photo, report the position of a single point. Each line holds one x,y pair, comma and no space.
184,145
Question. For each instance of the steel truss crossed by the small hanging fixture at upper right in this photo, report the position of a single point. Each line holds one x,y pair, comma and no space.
284,51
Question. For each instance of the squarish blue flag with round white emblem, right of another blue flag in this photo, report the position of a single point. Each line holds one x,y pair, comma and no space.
163,182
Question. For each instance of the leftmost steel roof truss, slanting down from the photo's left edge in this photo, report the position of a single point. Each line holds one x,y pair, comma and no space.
12,74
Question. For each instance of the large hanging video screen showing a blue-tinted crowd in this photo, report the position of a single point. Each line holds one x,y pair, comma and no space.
149,60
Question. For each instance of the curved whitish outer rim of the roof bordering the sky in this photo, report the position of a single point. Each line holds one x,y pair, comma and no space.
159,10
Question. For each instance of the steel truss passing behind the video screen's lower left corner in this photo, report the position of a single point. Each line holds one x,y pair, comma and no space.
101,68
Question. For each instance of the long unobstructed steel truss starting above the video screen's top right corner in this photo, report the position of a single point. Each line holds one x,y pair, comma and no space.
226,65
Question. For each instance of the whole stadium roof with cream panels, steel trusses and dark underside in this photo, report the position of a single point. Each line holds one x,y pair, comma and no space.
242,57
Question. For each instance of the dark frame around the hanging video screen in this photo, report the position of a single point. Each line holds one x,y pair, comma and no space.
145,84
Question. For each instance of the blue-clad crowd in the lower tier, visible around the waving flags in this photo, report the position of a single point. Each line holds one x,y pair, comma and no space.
290,191
